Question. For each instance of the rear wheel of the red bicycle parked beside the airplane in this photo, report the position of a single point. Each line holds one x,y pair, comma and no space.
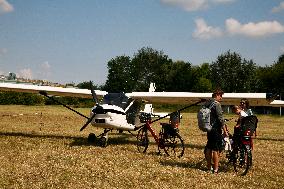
173,145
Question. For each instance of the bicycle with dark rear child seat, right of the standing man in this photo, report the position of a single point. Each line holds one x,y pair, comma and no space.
242,145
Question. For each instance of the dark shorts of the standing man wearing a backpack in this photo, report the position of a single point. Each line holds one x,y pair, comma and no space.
215,140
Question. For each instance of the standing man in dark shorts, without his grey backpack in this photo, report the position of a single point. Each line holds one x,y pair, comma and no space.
215,143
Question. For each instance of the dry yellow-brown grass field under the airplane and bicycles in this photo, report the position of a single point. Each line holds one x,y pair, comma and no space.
41,147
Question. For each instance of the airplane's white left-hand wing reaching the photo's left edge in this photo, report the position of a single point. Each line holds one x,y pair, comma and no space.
57,91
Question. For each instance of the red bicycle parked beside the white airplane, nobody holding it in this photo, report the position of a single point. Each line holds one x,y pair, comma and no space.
168,138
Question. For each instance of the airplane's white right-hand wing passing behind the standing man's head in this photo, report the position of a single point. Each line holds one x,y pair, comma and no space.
255,99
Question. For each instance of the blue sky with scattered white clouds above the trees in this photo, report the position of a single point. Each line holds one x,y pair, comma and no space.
71,41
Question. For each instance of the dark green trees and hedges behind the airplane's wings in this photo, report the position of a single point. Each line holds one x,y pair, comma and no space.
229,71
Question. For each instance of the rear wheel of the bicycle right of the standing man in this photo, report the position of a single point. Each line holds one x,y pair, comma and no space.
243,160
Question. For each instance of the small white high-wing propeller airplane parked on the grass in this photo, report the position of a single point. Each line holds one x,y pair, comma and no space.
120,111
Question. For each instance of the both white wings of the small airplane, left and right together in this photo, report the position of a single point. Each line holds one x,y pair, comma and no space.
255,99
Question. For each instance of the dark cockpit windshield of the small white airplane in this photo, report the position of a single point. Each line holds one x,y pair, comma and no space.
117,99
